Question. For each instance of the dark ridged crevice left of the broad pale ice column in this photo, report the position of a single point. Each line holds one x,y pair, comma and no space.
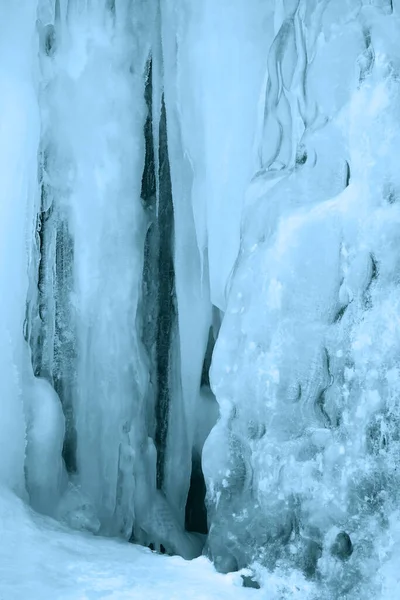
49,320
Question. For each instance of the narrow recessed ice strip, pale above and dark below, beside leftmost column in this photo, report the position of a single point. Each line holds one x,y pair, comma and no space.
50,318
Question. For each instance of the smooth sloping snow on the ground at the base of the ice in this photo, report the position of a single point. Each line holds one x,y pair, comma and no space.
41,560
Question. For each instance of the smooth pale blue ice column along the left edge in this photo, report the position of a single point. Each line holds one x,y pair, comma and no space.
19,138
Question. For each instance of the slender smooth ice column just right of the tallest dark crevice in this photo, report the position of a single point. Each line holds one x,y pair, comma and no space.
191,280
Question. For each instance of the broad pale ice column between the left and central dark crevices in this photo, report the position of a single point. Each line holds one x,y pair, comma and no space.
97,107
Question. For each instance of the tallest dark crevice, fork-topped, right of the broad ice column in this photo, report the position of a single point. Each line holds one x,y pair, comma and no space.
159,305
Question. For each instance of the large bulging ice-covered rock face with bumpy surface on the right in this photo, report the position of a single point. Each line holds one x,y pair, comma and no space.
305,368
